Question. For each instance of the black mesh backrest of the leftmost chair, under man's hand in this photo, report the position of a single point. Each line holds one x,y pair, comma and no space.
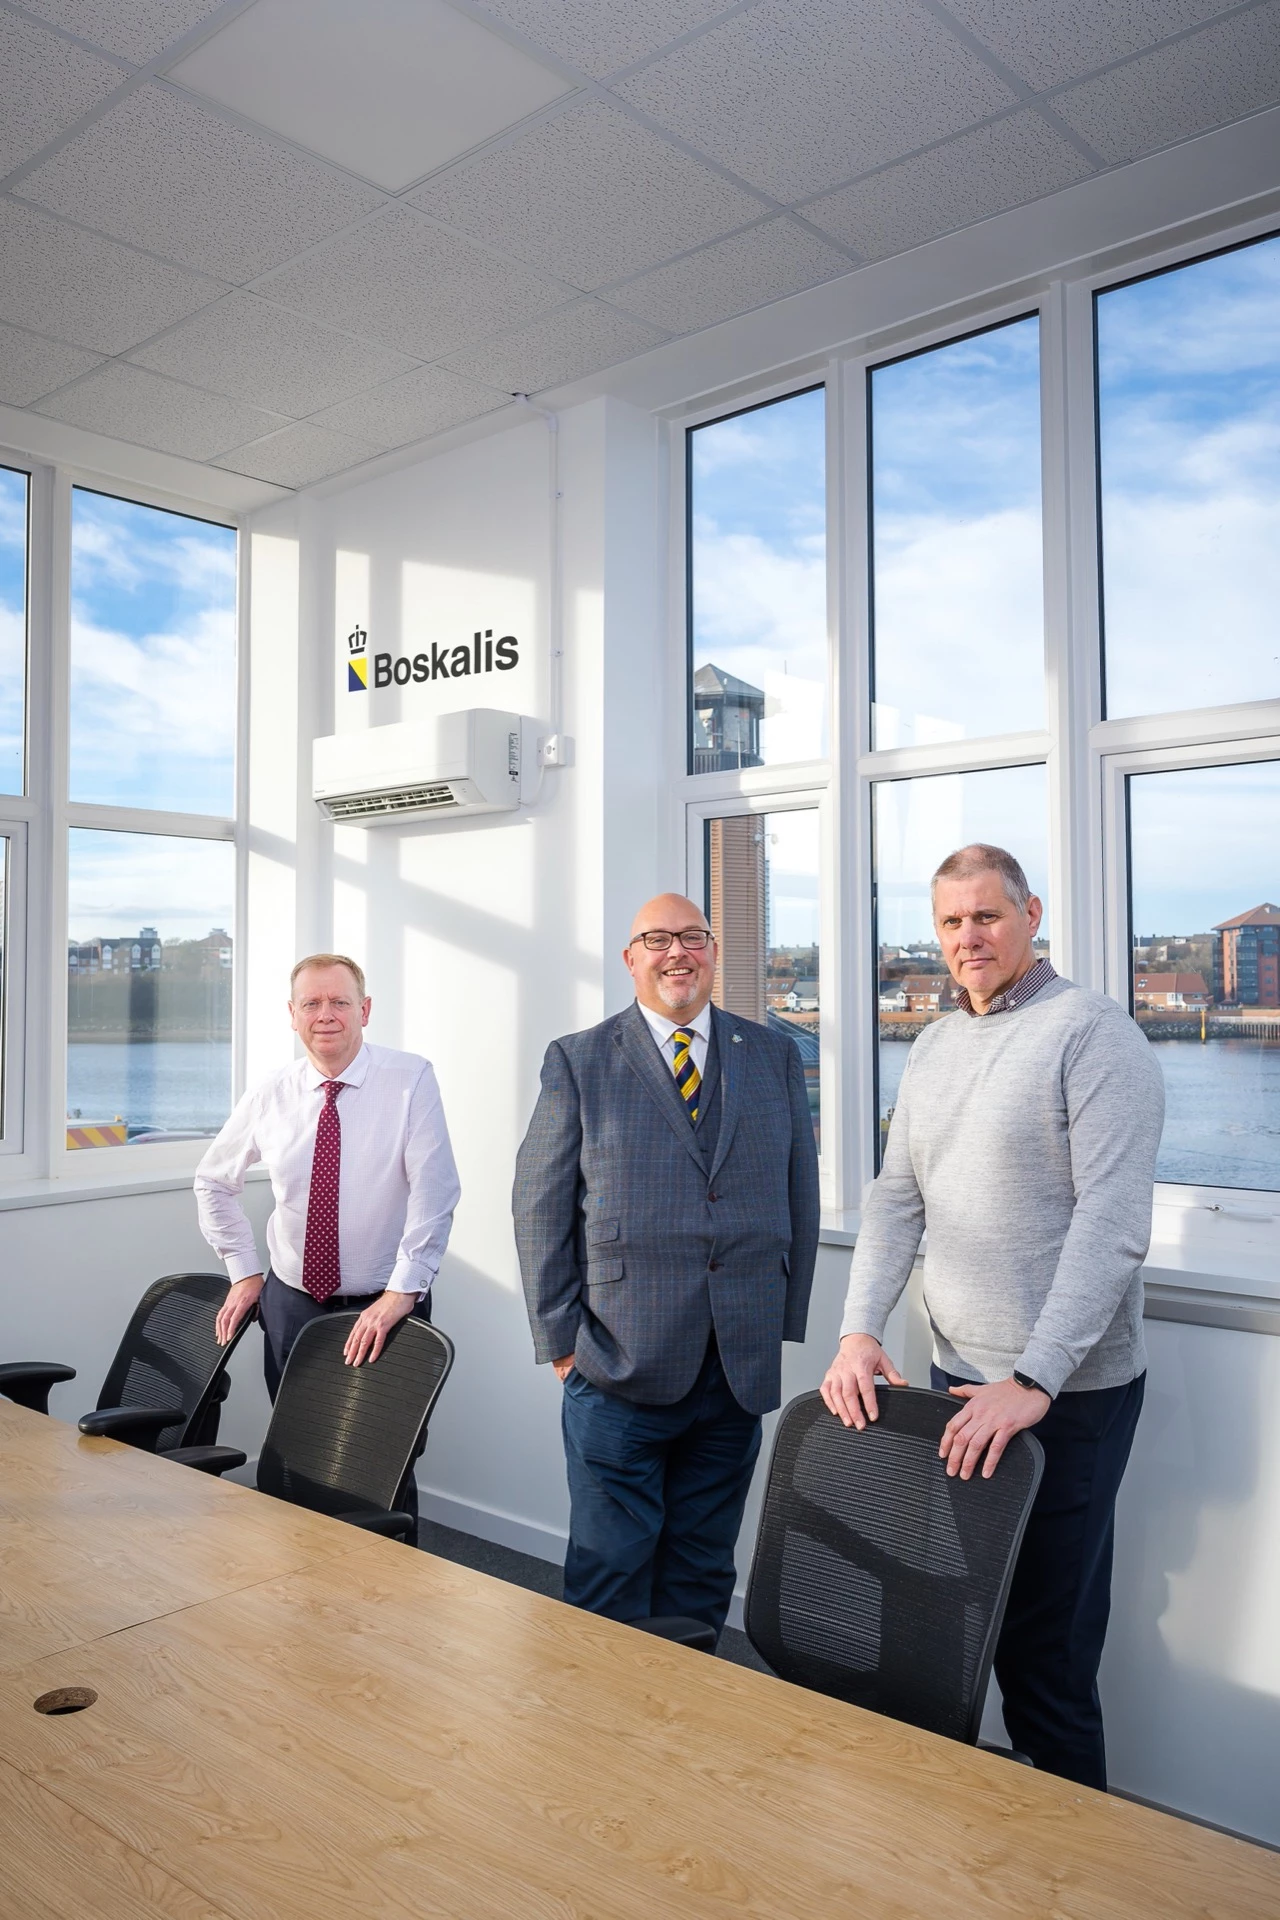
170,1355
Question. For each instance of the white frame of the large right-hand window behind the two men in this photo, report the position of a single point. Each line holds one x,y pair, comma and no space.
1085,756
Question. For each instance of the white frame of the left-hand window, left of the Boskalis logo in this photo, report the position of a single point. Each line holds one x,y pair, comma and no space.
36,1147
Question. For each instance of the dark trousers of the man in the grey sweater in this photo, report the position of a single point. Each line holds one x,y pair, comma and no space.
1056,1621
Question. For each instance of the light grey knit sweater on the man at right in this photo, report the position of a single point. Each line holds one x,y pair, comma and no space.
1026,1143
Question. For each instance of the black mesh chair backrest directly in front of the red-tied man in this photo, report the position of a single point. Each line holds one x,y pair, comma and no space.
343,1439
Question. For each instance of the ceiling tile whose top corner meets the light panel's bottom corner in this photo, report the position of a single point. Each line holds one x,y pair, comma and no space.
402,281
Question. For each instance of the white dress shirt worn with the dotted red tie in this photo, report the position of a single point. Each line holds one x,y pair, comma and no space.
398,1184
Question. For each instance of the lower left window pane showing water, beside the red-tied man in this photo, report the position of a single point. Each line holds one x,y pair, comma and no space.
149,988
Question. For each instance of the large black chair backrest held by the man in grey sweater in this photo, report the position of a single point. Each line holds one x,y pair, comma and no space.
876,1577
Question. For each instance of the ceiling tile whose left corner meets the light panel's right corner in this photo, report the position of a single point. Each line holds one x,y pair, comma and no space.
801,95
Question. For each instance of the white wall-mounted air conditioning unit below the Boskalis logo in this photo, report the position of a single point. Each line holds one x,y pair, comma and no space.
471,763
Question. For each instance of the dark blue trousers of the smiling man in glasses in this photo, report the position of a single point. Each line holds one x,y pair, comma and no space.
657,1499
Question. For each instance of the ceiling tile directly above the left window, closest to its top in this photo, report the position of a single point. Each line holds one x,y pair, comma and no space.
141,408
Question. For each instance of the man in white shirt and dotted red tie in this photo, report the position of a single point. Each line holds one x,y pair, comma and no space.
362,1172
